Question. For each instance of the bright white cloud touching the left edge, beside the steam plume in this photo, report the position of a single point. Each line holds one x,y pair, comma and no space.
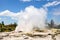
9,13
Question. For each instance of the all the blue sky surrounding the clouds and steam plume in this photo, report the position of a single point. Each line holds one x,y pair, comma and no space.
18,5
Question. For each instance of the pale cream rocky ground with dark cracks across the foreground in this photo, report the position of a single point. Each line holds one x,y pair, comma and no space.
30,35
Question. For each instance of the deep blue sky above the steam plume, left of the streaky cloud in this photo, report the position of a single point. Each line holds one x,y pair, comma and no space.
17,5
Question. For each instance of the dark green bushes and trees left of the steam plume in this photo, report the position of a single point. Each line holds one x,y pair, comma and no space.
7,28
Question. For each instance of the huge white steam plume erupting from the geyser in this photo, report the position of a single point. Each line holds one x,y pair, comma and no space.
31,17
